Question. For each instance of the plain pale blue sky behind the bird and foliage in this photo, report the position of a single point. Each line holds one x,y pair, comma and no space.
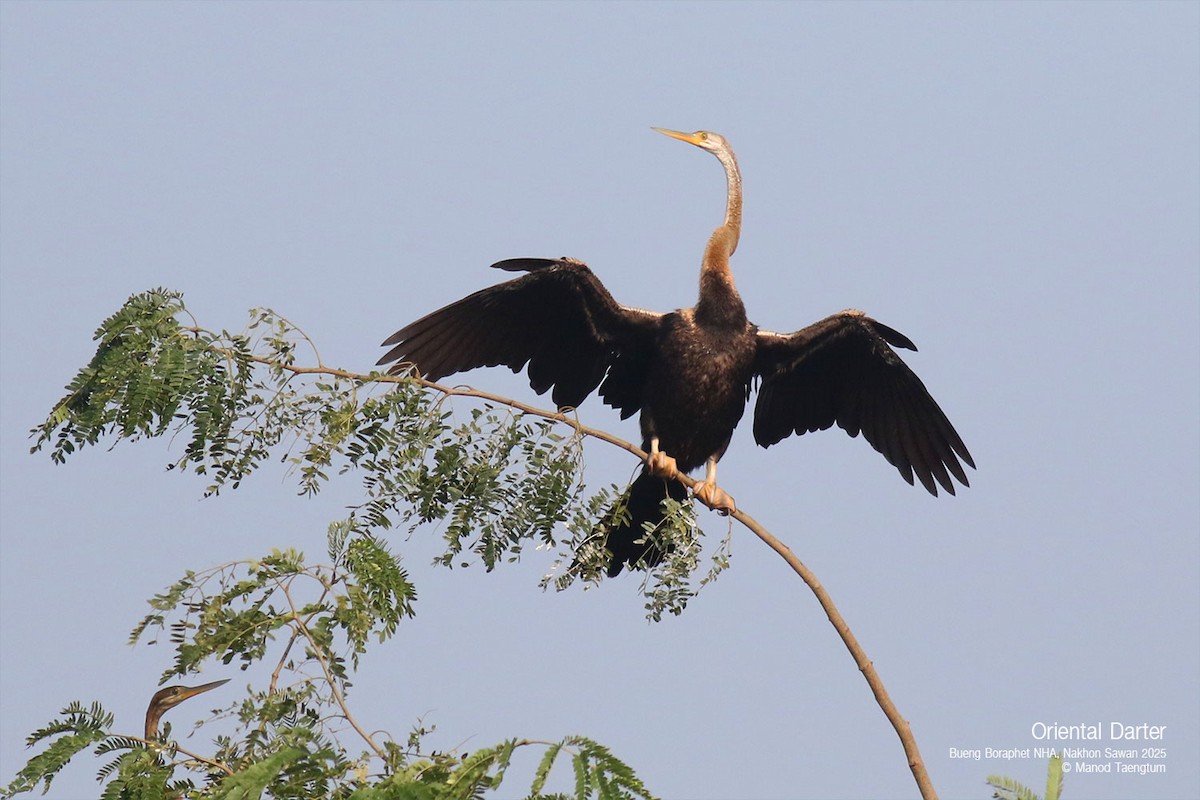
1013,187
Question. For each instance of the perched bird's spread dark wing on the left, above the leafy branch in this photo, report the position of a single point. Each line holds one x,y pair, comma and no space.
559,318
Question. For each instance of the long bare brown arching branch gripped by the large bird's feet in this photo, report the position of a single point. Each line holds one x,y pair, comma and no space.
916,765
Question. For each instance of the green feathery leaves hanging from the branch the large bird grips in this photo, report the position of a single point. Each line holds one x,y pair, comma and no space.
494,480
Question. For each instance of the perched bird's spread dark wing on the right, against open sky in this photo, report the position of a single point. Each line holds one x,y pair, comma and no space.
842,370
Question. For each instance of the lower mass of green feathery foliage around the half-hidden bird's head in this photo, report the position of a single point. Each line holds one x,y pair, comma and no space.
311,622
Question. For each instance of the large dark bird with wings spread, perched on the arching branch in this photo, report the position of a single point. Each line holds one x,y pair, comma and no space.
689,372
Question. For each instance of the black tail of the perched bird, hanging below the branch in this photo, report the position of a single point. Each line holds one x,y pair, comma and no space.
643,504
